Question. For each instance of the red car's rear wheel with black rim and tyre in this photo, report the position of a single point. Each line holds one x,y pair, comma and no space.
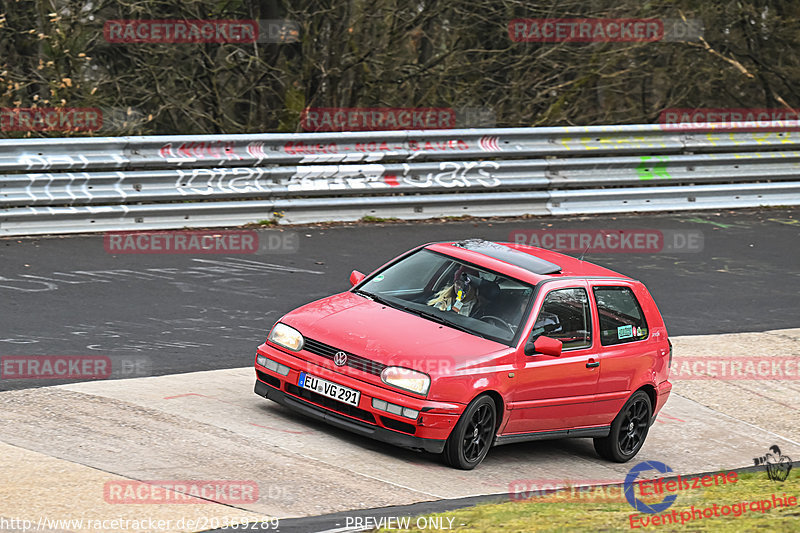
628,430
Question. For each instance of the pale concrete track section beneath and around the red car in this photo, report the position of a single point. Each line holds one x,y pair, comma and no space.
63,444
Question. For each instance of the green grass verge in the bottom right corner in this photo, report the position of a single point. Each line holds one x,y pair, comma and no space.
606,509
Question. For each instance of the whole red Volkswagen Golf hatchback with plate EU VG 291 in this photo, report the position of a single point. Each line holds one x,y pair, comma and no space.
456,347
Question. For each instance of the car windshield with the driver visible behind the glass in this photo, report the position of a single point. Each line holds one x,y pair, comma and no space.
460,295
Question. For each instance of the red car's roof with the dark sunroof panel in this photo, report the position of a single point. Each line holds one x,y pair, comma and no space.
527,263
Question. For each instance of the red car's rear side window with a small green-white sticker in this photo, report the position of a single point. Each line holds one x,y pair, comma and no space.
621,317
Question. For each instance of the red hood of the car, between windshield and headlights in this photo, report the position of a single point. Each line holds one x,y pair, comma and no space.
360,326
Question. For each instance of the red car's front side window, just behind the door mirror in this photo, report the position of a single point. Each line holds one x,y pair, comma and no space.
565,316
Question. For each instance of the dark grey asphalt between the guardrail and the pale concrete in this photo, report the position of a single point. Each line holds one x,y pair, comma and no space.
157,314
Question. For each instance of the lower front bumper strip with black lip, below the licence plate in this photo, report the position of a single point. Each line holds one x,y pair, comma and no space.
320,413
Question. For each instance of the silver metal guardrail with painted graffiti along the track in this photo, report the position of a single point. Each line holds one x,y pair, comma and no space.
128,183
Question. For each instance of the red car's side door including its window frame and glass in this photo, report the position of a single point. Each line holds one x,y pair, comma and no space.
554,393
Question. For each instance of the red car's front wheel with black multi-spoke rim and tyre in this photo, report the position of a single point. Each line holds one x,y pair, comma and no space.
470,440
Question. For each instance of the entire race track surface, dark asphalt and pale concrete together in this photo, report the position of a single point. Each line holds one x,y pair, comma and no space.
175,316
